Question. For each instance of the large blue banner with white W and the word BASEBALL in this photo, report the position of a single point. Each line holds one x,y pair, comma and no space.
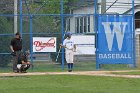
115,39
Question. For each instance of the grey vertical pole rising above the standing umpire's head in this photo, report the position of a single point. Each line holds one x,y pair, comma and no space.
15,16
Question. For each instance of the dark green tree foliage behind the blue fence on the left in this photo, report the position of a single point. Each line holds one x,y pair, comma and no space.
41,24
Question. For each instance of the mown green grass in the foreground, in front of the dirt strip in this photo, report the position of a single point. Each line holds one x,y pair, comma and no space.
68,84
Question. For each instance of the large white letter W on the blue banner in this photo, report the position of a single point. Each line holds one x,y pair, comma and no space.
119,29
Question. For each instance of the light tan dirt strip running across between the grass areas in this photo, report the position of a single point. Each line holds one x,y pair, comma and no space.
90,73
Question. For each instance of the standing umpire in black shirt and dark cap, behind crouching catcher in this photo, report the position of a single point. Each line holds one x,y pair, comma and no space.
16,47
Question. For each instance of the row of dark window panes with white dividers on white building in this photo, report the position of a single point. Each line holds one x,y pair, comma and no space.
82,24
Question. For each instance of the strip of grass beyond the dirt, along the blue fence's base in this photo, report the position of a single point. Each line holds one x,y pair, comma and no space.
78,66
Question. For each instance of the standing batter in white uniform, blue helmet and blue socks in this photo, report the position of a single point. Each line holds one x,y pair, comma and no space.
70,48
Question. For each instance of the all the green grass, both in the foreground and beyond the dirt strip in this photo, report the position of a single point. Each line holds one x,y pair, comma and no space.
69,83
